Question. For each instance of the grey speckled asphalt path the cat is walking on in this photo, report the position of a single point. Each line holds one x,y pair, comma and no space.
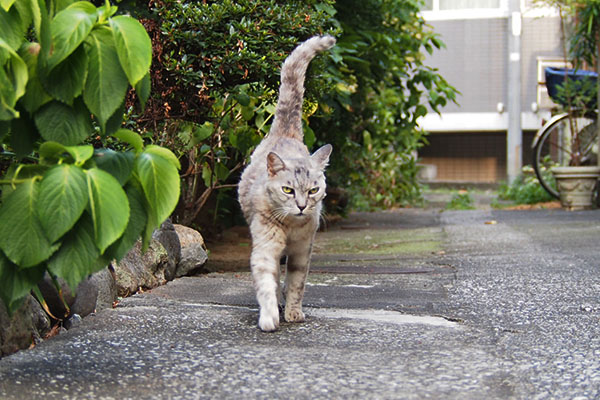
409,304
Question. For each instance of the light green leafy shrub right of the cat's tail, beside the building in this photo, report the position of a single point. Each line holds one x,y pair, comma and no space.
381,87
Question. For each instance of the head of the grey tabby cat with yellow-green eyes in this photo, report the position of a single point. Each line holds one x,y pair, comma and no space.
296,186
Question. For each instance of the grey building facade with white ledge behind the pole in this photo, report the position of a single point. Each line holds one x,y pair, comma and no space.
468,141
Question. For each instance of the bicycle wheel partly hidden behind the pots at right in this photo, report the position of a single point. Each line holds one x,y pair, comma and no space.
552,146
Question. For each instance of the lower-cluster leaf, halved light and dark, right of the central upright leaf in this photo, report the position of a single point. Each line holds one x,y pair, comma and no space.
108,207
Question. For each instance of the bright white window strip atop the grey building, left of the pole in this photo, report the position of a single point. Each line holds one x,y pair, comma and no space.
464,9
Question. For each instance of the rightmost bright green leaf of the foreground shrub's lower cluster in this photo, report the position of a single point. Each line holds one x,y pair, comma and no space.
160,181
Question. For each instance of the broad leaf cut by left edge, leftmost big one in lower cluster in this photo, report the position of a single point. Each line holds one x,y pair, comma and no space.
22,237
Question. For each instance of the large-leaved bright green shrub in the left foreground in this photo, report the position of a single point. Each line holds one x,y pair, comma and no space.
68,209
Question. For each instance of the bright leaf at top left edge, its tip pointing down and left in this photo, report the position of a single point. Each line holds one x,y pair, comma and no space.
70,27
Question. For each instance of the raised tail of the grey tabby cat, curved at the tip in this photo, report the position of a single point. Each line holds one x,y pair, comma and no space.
288,113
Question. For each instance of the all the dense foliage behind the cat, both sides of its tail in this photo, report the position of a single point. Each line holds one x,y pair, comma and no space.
216,75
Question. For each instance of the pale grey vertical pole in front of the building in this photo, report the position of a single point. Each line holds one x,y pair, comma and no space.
514,138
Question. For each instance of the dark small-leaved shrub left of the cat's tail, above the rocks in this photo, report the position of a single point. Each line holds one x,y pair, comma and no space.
215,78
